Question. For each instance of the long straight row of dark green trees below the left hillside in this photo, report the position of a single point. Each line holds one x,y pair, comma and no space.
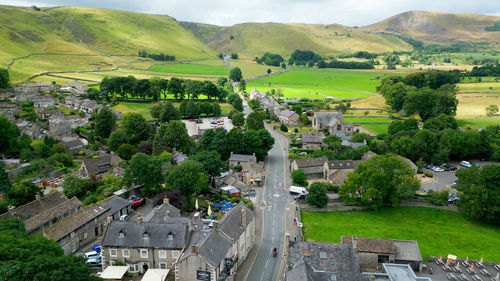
155,88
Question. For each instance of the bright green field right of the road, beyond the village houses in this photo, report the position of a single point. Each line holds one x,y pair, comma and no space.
321,83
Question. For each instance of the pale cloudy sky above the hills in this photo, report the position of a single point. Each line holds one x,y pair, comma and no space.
229,12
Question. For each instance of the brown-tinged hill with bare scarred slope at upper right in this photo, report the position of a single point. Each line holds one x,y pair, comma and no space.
443,28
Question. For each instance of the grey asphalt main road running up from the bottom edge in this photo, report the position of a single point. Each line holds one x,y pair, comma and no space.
274,199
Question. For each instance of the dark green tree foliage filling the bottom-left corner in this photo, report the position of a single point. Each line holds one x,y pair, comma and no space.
36,257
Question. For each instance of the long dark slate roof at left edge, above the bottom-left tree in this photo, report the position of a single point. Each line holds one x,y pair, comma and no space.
35,207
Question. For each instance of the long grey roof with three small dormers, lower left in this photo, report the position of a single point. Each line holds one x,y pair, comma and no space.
158,235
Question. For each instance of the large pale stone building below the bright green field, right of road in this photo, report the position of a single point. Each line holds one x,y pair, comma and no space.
333,121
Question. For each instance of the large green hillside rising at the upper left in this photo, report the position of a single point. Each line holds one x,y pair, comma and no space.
88,37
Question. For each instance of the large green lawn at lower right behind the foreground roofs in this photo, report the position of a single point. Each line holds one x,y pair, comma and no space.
438,232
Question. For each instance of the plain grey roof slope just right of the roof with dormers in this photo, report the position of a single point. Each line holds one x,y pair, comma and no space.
213,249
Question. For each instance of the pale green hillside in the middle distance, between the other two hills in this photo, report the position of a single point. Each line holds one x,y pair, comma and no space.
254,39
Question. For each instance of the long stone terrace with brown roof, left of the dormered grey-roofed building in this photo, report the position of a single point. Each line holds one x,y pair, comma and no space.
78,229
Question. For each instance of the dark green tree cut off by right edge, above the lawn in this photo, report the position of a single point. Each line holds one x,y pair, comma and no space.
480,193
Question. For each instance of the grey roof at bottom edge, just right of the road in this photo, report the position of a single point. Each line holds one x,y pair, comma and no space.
322,261
